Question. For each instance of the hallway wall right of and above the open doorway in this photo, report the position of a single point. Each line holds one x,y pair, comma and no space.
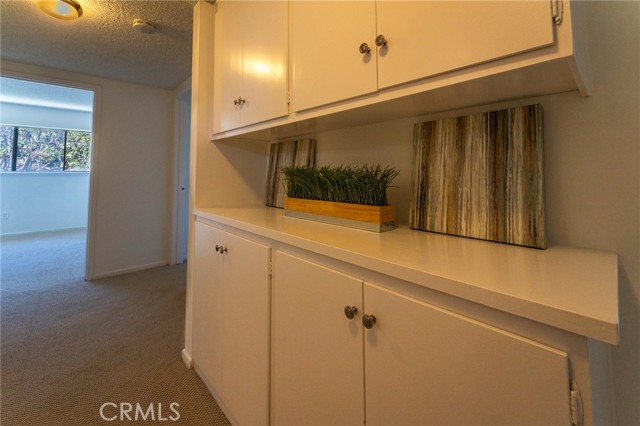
131,175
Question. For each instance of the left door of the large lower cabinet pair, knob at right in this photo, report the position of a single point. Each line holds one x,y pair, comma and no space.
316,351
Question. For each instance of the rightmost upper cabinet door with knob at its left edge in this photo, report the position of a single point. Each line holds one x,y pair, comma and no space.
426,38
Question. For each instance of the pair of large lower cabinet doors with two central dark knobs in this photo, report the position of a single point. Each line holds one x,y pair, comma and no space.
346,351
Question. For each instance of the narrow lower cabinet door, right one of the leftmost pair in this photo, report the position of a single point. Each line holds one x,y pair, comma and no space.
244,330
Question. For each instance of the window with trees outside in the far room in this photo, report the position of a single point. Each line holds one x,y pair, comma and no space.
30,149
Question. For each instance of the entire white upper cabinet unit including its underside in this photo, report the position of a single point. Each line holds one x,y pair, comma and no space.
358,62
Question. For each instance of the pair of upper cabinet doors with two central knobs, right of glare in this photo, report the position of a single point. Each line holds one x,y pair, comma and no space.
375,45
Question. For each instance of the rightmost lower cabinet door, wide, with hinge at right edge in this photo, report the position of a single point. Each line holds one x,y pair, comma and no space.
429,366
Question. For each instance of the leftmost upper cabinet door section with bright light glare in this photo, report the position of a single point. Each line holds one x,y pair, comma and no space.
250,63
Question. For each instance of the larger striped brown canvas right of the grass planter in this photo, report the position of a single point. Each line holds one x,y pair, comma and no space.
481,176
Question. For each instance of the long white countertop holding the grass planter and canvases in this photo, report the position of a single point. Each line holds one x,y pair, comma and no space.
568,288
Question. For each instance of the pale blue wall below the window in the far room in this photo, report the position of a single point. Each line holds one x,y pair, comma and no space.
35,202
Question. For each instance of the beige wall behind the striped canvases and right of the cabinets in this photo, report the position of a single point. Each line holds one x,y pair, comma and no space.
592,171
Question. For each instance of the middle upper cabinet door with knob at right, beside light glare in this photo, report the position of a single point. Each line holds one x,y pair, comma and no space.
327,65
